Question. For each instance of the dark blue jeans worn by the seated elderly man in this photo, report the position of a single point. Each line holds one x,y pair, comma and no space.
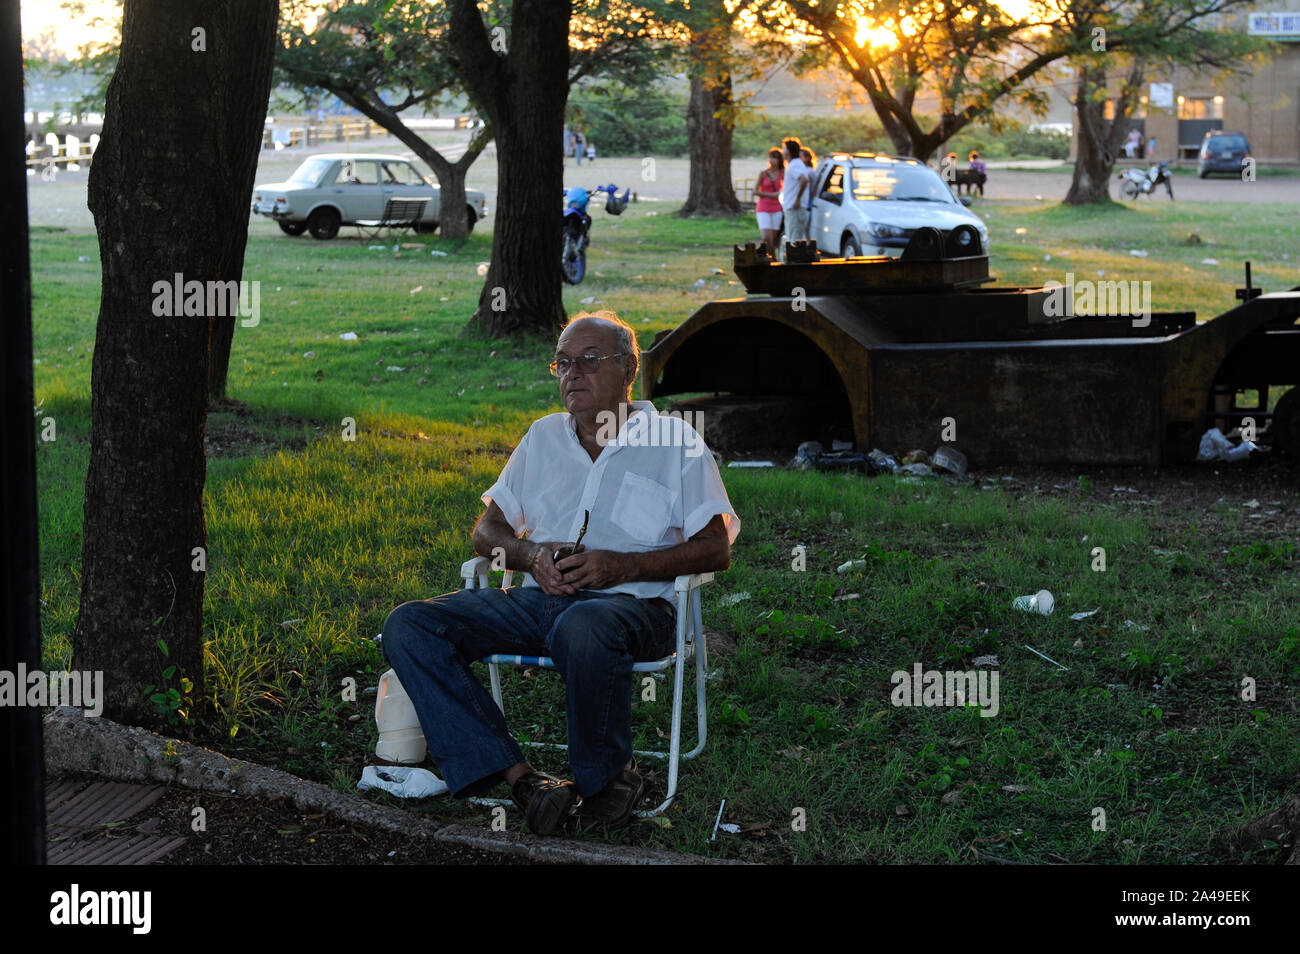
593,638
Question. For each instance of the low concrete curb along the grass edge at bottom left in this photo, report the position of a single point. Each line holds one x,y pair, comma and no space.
128,753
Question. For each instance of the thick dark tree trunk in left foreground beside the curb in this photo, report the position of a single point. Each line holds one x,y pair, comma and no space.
170,189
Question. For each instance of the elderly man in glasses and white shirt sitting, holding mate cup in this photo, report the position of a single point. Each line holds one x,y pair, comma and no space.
657,508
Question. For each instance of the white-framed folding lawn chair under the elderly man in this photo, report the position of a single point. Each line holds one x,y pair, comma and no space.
691,643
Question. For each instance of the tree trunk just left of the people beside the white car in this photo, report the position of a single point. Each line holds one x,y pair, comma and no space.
709,133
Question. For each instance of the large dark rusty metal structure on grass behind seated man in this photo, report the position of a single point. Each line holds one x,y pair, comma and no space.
890,353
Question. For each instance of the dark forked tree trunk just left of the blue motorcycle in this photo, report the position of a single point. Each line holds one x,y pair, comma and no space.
523,92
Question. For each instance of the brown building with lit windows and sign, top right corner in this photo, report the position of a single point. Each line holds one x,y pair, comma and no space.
1180,106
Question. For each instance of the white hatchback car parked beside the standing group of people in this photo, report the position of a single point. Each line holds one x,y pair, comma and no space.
868,203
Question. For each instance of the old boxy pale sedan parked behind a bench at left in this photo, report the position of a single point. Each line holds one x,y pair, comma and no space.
335,189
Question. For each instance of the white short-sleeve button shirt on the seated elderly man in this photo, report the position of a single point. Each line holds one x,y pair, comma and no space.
655,487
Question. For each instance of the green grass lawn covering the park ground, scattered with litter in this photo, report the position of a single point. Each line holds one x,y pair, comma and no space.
313,540
